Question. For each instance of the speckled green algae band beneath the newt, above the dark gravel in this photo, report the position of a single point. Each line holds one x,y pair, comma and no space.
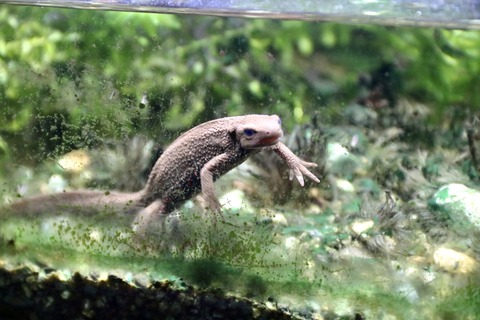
246,258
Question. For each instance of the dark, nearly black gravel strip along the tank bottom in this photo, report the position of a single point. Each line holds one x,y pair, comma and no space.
27,295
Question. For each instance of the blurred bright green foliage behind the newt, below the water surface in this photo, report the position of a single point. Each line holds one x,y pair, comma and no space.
71,78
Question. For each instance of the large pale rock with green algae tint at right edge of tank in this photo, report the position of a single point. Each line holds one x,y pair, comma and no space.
460,203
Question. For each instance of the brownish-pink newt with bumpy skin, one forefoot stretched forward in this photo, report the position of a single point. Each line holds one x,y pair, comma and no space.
188,166
